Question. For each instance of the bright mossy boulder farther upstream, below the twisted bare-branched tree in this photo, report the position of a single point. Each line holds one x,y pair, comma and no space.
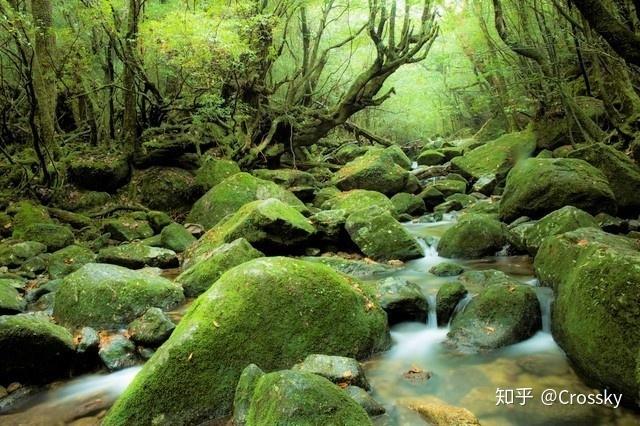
375,171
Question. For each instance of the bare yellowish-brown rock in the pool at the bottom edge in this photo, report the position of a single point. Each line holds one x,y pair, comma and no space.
438,413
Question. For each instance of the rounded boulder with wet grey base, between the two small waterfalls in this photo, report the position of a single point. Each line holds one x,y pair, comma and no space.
499,316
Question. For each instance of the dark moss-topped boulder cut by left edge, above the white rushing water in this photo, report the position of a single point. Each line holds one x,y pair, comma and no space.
33,349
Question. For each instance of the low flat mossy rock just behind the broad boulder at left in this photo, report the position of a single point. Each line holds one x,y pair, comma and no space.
138,255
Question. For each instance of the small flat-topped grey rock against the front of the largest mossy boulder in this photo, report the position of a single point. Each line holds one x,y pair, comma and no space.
340,370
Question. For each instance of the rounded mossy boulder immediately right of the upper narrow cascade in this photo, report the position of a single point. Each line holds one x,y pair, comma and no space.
474,236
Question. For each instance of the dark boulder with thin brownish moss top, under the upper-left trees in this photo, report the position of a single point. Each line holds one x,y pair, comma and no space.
99,171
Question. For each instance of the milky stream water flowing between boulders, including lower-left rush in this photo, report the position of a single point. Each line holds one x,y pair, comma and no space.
416,368
